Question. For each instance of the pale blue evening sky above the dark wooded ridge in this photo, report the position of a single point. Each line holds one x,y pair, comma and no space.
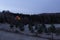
30,6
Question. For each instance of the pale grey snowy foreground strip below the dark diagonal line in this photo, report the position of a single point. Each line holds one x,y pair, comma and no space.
12,36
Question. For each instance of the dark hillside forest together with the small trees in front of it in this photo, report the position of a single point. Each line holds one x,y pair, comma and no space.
32,20
